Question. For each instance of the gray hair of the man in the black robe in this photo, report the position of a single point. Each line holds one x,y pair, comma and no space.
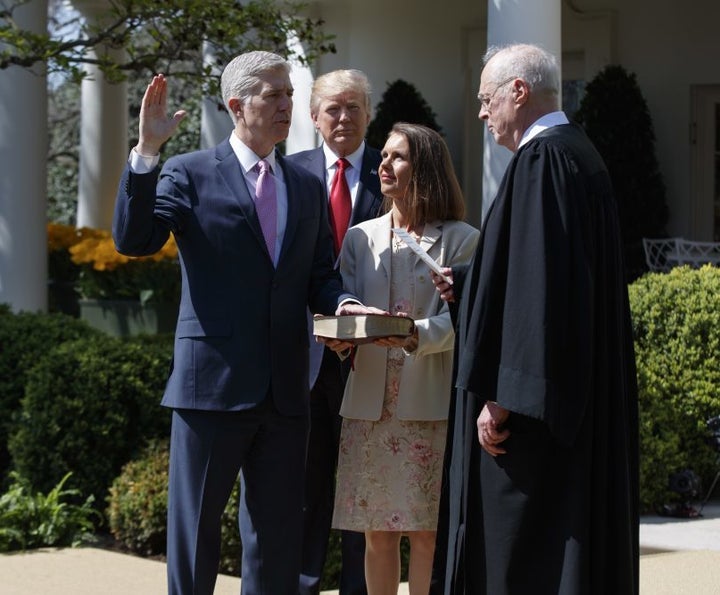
531,63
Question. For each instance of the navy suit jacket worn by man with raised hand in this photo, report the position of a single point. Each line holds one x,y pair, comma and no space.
242,326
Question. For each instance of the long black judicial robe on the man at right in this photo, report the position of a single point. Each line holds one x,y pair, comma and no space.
543,328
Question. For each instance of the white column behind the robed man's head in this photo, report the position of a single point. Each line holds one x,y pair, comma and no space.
516,21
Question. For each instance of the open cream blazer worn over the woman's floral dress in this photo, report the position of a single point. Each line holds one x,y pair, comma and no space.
426,373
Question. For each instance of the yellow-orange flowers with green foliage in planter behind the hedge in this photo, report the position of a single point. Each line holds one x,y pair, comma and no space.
104,273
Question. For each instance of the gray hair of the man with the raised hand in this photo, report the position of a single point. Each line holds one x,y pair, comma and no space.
241,76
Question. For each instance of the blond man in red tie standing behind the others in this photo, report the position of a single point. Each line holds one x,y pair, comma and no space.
340,110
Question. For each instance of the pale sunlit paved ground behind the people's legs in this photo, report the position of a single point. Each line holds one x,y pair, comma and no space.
680,557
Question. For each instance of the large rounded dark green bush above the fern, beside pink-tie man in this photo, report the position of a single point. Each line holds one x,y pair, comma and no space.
89,406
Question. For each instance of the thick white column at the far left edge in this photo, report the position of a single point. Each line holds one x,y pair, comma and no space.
23,176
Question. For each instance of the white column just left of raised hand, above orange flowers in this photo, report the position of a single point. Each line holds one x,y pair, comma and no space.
103,134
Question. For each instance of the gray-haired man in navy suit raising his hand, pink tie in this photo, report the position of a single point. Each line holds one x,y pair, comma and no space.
239,383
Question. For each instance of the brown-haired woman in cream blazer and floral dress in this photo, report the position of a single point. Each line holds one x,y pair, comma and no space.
396,400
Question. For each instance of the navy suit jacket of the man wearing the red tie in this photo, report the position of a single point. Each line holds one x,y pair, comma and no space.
368,204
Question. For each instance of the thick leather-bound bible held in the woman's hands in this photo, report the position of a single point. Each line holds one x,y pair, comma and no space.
362,328
